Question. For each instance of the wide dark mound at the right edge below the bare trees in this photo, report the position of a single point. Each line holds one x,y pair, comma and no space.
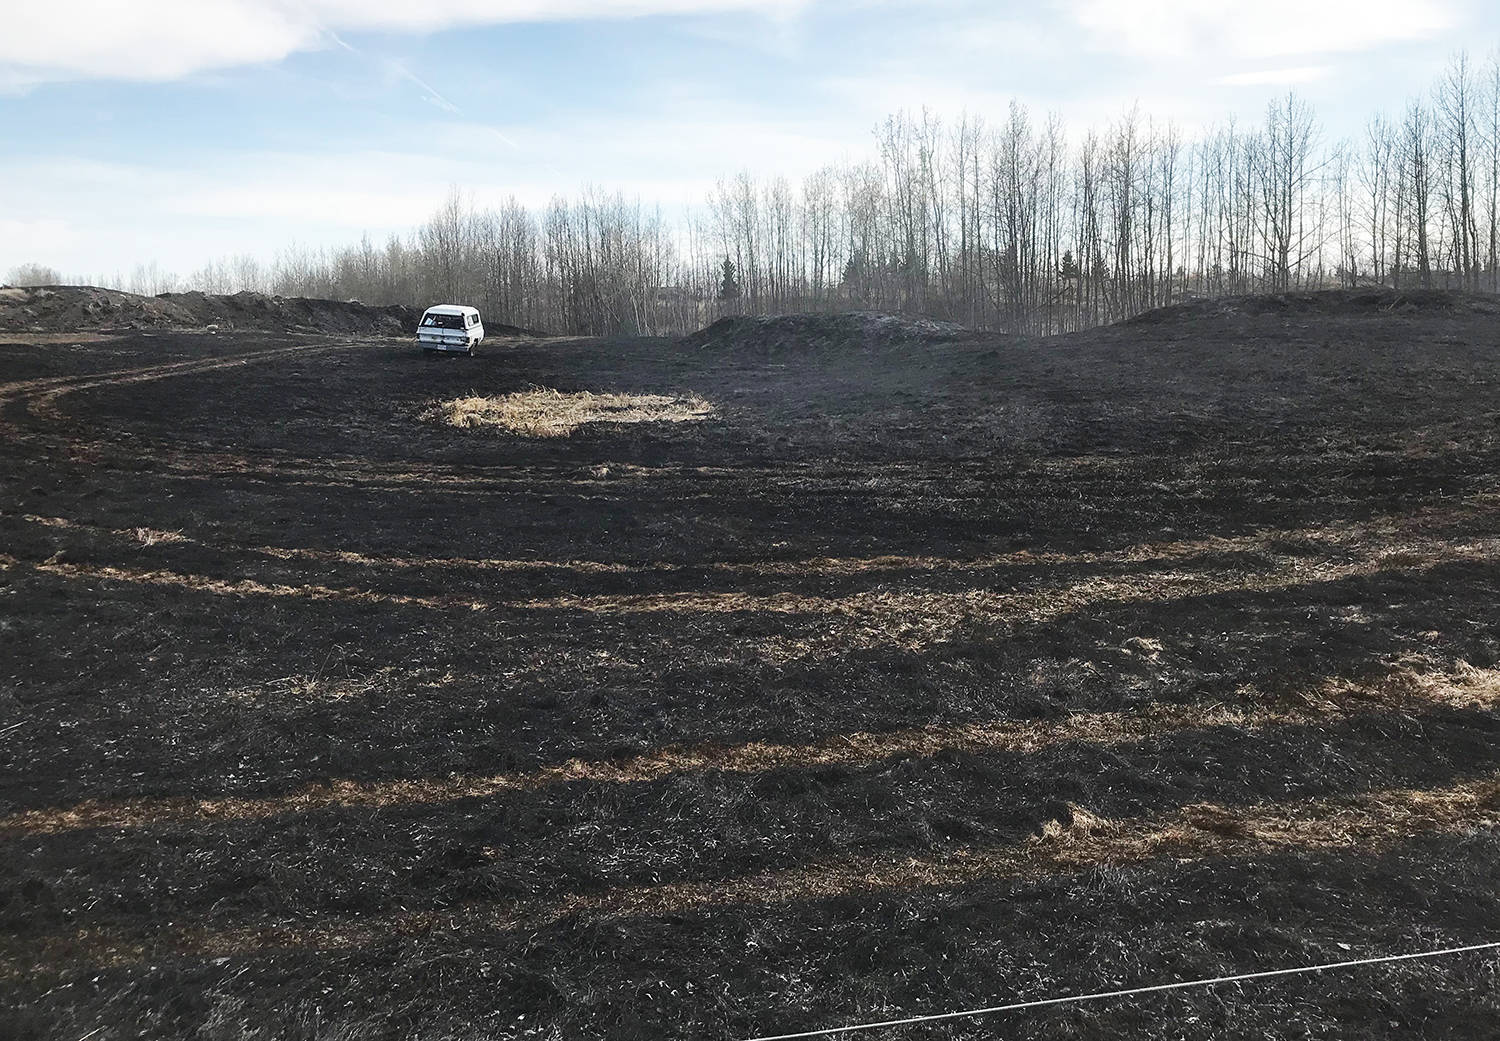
1325,302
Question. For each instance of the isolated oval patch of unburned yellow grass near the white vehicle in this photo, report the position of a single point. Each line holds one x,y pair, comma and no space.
545,413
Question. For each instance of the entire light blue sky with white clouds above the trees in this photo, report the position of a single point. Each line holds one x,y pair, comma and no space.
176,131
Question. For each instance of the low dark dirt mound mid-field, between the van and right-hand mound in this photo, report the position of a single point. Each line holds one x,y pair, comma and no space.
826,332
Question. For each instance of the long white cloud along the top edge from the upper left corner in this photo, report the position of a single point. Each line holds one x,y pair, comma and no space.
169,40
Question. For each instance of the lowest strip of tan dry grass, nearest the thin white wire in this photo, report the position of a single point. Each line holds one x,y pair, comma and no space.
1372,823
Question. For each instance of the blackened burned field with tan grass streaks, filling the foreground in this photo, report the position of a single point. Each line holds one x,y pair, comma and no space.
908,676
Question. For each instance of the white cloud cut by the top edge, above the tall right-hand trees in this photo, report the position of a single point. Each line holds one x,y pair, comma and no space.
1261,29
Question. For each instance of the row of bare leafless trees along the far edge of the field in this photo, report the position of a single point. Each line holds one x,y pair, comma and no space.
1001,224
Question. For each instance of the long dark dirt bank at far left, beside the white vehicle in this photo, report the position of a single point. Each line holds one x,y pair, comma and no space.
73,308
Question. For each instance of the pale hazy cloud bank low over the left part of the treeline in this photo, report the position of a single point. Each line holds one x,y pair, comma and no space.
91,217
